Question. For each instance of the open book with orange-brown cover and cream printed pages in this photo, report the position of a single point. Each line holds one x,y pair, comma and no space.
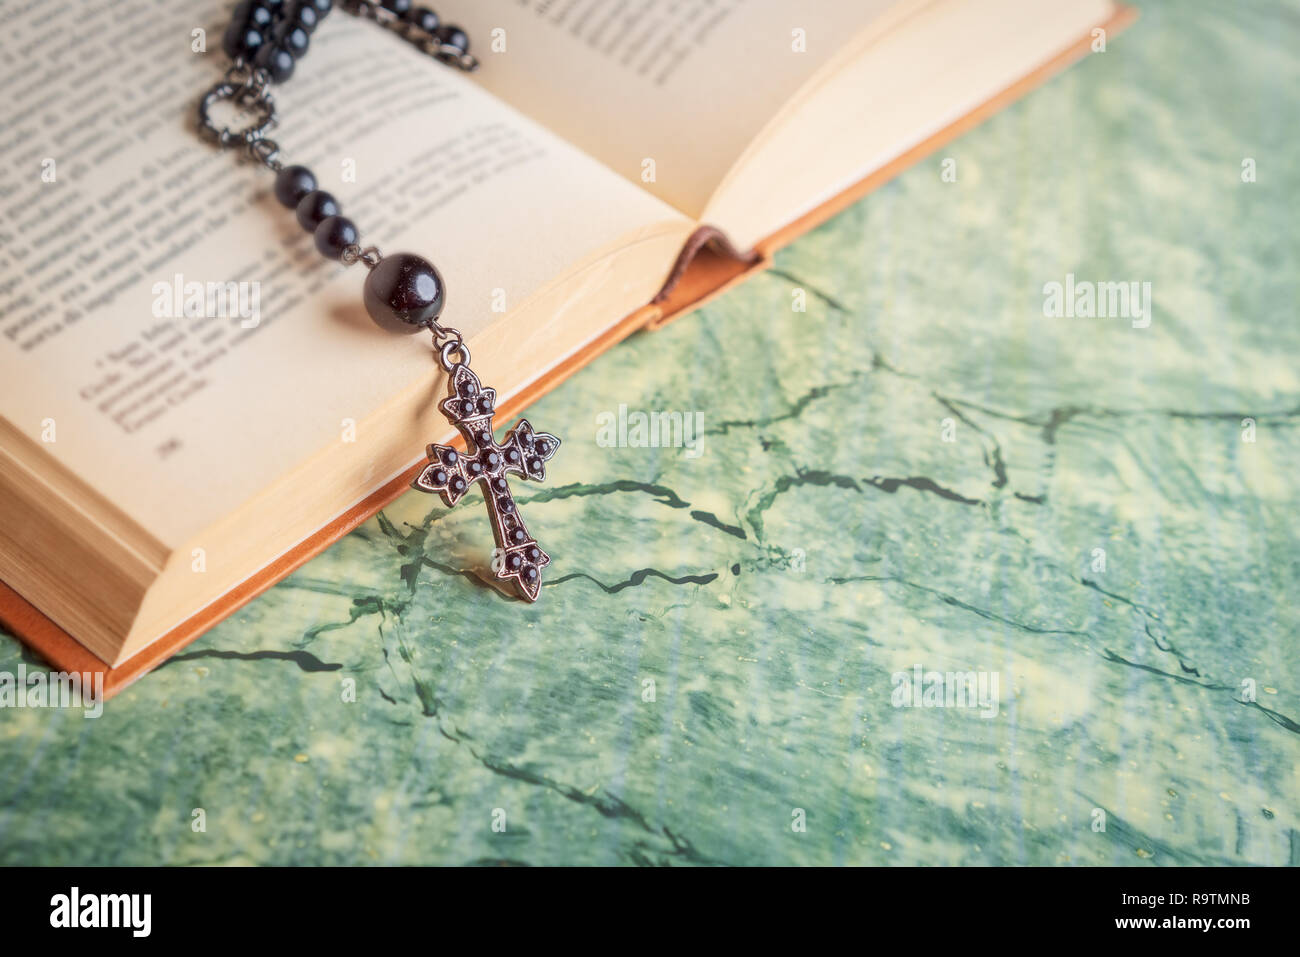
159,467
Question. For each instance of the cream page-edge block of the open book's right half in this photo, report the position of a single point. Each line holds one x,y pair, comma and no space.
928,73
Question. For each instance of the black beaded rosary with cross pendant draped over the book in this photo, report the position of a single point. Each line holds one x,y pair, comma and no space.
404,293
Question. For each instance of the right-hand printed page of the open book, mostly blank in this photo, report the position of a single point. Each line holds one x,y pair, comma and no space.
666,93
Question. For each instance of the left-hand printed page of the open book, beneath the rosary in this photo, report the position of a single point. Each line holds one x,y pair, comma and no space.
167,330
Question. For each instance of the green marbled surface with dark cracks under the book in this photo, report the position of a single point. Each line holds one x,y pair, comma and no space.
827,538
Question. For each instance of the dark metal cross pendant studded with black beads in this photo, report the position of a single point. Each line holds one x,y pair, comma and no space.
523,453
